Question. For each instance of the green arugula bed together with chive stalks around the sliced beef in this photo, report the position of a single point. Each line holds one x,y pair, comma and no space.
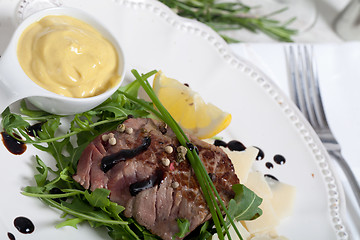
55,186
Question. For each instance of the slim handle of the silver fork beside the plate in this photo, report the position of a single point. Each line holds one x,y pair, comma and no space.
348,174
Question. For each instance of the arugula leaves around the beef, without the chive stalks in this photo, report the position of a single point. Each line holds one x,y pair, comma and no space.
95,207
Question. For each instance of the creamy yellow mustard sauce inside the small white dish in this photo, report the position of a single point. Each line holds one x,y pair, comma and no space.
69,57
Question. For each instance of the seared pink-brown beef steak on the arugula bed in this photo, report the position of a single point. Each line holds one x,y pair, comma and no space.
159,205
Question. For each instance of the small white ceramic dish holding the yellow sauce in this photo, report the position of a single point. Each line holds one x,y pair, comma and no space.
16,85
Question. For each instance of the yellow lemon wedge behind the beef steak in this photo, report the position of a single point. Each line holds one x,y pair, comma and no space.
187,107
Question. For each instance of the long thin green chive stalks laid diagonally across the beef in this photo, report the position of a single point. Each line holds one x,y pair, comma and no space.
210,193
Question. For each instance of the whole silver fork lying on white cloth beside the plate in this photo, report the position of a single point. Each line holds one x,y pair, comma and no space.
306,95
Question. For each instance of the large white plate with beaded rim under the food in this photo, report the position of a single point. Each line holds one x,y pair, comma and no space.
155,38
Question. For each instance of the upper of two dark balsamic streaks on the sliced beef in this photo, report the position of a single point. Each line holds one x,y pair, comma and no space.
110,161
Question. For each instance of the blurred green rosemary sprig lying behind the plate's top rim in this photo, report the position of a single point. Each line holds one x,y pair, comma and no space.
223,16
